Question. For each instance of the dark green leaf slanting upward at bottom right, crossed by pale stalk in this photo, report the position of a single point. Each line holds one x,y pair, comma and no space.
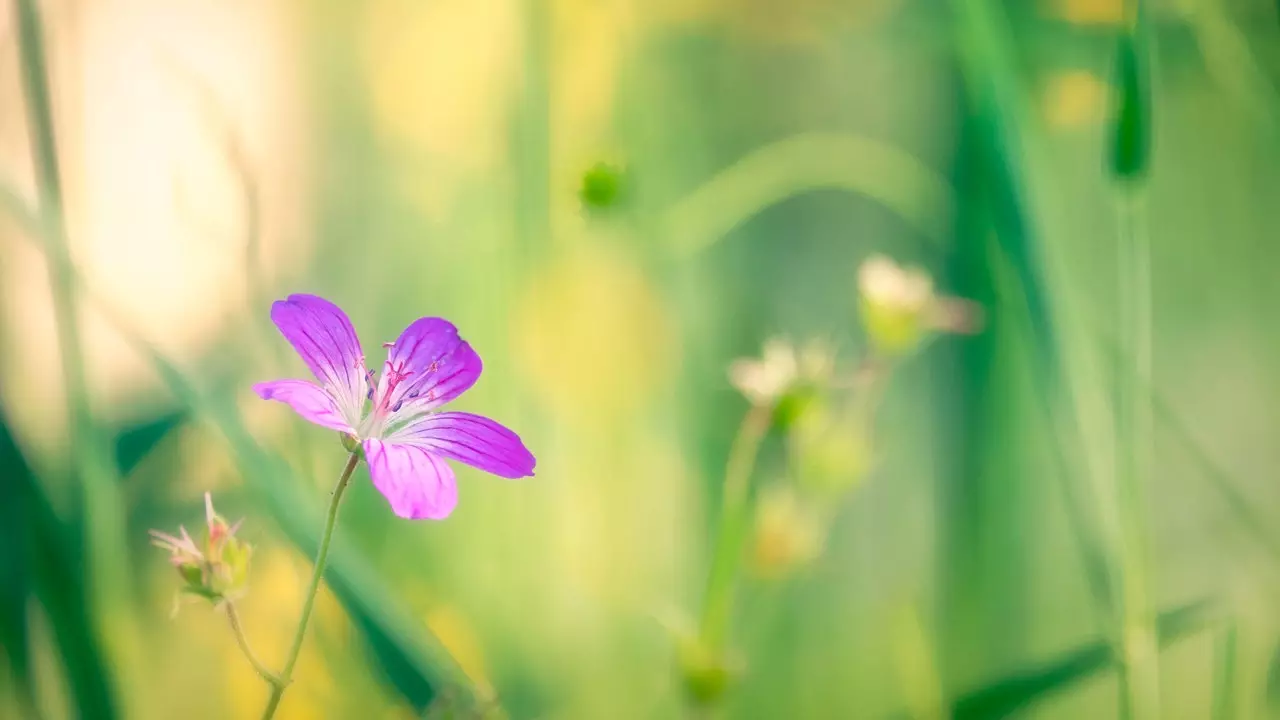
1009,695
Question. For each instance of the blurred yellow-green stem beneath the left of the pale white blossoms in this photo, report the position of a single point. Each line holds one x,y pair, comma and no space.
719,601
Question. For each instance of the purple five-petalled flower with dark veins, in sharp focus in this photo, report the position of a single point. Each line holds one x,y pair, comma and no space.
406,440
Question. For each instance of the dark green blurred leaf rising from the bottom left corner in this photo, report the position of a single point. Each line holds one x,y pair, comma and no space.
38,557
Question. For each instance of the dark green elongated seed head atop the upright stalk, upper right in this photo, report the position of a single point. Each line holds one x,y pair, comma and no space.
1131,139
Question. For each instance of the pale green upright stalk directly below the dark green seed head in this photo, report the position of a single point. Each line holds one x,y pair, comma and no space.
1139,649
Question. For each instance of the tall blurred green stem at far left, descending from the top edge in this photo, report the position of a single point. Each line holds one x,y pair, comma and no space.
90,453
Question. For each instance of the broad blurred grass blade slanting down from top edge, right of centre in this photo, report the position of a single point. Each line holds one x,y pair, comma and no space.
1075,395
